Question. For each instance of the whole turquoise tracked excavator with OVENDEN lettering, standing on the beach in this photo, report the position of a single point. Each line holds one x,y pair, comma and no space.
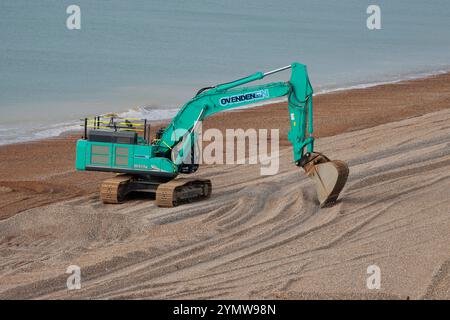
123,146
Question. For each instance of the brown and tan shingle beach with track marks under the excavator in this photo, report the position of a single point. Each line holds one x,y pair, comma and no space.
257,237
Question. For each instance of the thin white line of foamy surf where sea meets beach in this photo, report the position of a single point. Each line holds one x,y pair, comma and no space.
361,86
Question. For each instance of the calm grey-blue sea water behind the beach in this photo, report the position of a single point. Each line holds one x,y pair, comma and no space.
144,58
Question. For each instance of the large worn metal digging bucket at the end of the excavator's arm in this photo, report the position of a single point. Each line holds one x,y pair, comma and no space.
328,176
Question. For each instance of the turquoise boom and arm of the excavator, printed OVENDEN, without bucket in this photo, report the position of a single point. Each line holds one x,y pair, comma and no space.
231,95
